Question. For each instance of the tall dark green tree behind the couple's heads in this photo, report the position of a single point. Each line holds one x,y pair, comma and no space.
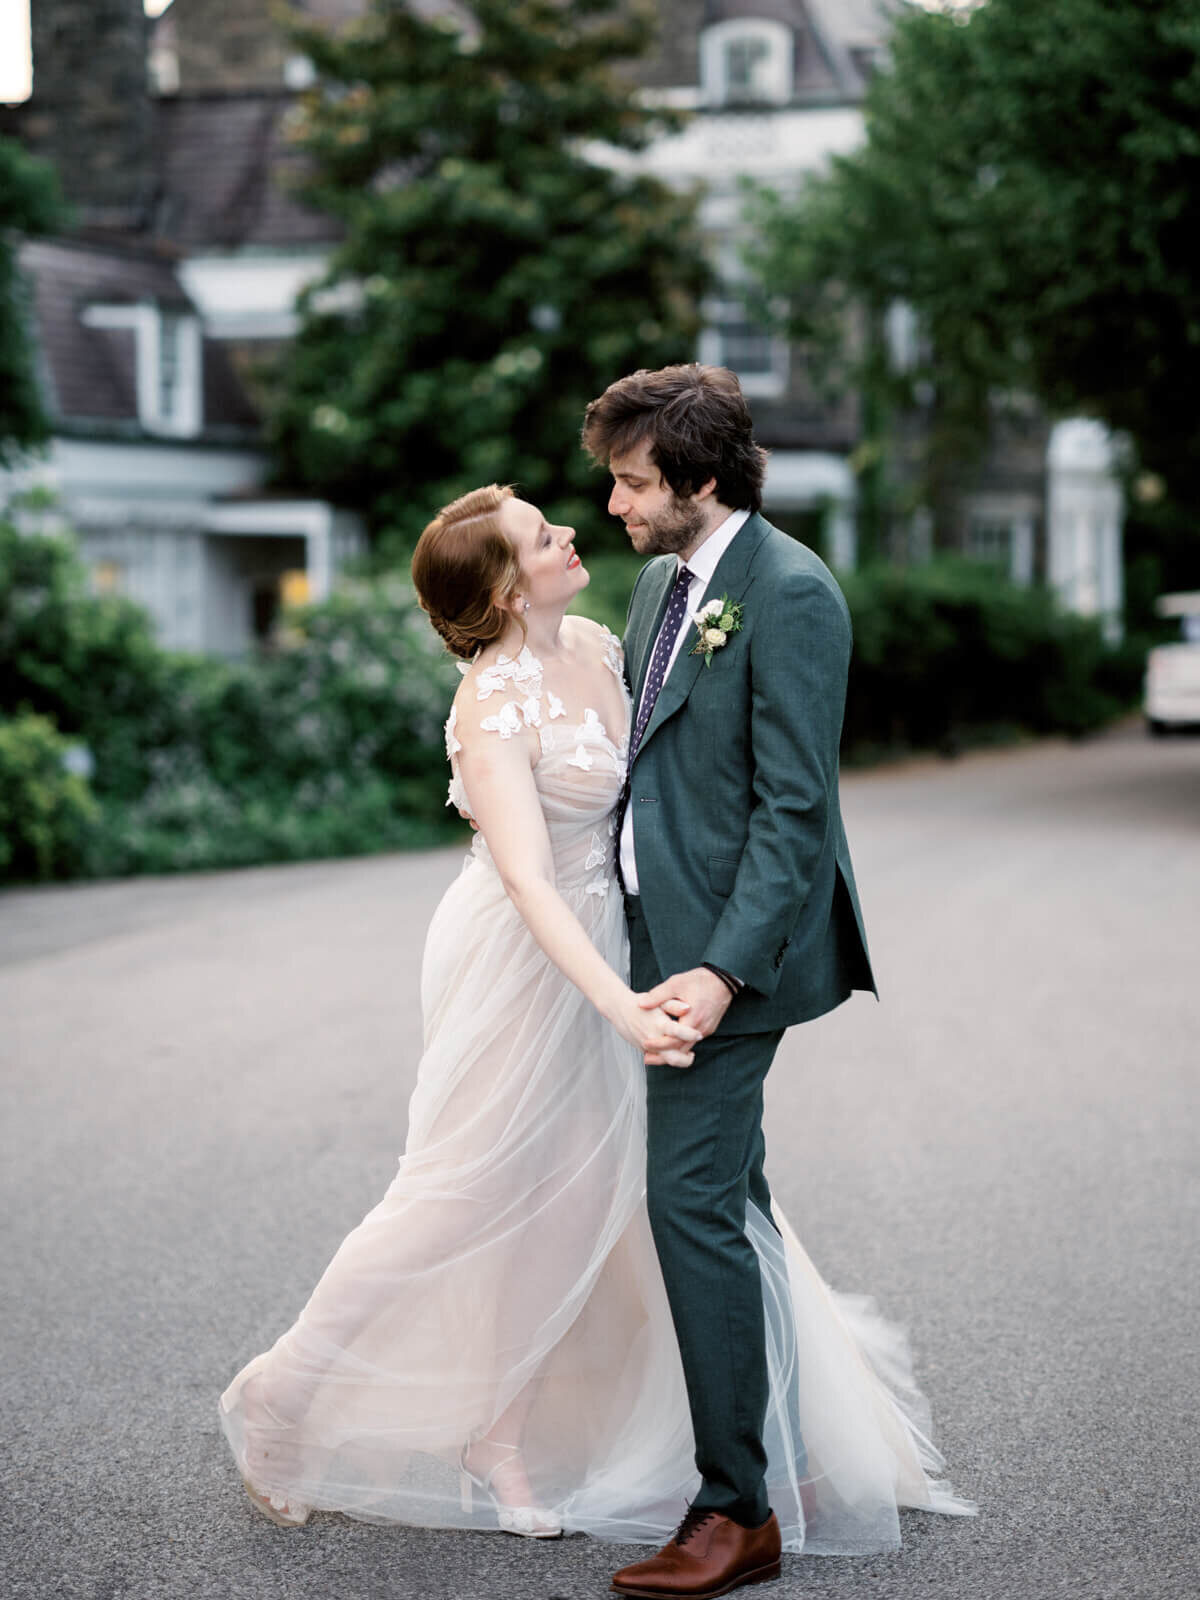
497,273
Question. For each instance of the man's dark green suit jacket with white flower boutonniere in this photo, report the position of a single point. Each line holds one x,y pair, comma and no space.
742,854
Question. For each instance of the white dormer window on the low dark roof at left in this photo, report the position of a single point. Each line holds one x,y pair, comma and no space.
169,364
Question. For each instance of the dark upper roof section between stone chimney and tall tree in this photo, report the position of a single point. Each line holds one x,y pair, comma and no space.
226,170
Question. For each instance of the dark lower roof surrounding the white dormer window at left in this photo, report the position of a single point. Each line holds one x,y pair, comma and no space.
90,374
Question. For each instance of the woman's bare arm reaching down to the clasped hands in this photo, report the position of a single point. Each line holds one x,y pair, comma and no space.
498,778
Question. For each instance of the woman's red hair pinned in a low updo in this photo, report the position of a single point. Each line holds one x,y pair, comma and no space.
465,569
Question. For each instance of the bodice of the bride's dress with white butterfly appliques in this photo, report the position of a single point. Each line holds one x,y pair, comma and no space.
580,769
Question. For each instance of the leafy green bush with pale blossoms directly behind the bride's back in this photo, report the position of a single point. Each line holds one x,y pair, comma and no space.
329,746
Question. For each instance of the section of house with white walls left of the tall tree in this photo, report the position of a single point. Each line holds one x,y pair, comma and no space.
146,321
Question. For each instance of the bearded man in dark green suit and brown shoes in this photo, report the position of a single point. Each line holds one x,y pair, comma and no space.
740,894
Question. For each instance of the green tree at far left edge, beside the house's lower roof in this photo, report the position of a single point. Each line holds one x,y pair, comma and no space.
30,204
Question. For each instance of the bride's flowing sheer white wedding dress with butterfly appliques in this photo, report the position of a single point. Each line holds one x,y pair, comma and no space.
506,1287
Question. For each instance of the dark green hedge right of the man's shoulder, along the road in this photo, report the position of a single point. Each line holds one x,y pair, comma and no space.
951,654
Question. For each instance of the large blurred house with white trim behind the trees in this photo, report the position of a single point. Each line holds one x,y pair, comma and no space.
151,321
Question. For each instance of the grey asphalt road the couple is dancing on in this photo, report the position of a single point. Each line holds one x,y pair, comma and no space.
206,1081
